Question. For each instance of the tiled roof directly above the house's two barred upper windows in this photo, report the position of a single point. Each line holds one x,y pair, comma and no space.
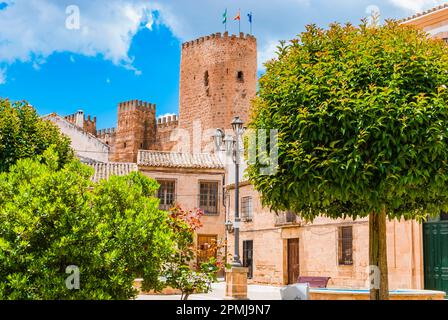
179,160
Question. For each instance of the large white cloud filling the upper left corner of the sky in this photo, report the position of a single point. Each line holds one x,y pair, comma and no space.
32,30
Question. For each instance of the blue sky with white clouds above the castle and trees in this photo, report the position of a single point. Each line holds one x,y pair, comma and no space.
126,50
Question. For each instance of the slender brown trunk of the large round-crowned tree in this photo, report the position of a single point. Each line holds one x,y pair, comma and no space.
379,285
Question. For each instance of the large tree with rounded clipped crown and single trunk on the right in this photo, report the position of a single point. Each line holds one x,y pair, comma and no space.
362,118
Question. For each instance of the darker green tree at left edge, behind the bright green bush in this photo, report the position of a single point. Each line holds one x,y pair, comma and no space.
23,134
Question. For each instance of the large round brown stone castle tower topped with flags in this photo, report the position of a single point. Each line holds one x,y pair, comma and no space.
218,80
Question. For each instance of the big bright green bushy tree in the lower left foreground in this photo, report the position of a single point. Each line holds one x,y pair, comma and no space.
49,220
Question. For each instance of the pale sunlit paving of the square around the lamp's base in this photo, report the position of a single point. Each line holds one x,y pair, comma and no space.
255,292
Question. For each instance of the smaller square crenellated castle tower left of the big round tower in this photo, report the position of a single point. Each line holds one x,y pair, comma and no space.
136,130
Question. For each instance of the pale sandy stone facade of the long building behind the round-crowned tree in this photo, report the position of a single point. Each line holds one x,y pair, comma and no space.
318,252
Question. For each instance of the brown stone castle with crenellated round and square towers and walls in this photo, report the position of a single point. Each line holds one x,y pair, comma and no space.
218,58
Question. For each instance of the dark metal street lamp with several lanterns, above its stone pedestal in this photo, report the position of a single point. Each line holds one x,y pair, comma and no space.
232,146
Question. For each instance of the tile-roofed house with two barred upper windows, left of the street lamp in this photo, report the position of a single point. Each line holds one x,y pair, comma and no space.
193,181
